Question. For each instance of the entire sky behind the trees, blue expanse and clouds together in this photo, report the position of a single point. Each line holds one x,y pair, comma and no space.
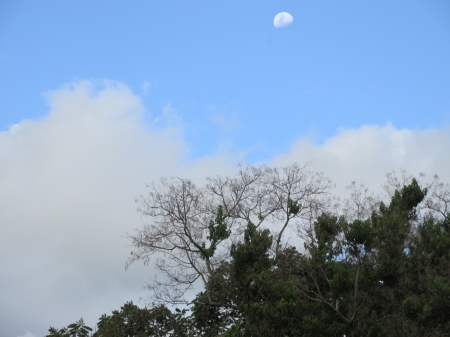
99,98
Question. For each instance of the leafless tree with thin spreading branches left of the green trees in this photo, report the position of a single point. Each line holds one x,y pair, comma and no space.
192,228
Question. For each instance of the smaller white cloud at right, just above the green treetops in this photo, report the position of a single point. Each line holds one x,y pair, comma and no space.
368,153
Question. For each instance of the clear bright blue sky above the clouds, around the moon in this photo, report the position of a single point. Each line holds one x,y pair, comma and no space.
340,64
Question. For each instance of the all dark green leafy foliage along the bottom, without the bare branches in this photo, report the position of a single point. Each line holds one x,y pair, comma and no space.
386,275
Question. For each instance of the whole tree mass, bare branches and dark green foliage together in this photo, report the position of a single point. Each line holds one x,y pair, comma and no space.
366,267
